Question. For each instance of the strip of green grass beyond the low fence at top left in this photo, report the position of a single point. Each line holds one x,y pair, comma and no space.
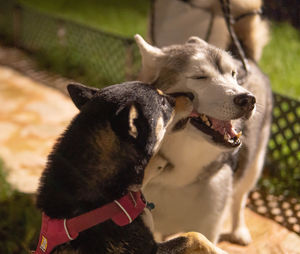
122,17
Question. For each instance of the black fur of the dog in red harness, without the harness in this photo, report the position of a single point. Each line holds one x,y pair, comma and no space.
97,160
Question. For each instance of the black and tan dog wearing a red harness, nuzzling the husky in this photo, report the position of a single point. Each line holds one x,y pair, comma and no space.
98,163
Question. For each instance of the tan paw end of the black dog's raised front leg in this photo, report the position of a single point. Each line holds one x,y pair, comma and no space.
199,244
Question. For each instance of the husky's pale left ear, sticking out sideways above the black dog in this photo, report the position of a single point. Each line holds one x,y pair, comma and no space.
150,58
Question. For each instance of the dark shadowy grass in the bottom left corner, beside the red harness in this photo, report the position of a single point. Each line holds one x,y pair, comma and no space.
20,228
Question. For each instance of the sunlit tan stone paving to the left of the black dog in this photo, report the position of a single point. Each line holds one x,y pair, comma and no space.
31,117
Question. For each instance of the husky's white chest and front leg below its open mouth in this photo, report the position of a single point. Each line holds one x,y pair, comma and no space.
187,188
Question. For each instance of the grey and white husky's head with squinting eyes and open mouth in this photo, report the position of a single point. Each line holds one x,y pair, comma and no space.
210,74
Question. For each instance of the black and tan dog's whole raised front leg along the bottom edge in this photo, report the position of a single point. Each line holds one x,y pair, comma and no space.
189,243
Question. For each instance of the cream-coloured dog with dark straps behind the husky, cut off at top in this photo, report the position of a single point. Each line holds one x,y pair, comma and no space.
174,21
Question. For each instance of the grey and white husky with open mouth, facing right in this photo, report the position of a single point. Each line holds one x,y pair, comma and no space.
207,160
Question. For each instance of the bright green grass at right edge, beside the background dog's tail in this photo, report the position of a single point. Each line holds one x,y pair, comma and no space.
280,59
